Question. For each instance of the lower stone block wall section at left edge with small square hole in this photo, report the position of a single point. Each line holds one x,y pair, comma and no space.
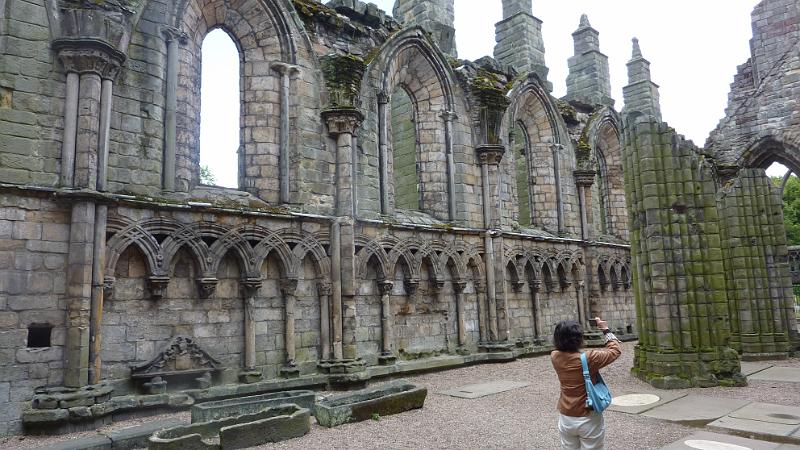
34,243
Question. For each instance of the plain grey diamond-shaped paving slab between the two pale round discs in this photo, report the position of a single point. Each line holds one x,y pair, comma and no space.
695,409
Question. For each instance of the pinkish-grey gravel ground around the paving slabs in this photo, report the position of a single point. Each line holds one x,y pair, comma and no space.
522,418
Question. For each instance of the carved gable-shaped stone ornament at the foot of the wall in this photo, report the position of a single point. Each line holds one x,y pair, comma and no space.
181,356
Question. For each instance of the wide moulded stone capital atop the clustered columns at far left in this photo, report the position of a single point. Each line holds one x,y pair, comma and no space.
84,56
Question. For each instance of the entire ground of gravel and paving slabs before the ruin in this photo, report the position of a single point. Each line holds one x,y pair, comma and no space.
525,416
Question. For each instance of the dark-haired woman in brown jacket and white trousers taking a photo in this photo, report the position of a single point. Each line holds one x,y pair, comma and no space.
579,427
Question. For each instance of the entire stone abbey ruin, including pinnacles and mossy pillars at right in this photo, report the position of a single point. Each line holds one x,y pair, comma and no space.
397,209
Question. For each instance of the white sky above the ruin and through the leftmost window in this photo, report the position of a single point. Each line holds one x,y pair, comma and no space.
694,47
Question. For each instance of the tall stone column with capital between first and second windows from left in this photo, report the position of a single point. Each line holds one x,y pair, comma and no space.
342,124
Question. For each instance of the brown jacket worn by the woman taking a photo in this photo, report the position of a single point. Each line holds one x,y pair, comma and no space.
572,401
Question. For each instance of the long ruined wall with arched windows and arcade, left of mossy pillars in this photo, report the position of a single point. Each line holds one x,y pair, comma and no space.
355,239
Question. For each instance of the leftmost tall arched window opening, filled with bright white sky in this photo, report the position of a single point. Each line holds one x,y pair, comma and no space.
220,130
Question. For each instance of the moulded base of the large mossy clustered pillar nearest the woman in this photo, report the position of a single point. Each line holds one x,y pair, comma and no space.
720,367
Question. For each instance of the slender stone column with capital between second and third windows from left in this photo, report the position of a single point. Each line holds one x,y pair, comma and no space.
490,157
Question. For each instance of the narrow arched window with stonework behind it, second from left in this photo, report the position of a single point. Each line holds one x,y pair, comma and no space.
407,186
